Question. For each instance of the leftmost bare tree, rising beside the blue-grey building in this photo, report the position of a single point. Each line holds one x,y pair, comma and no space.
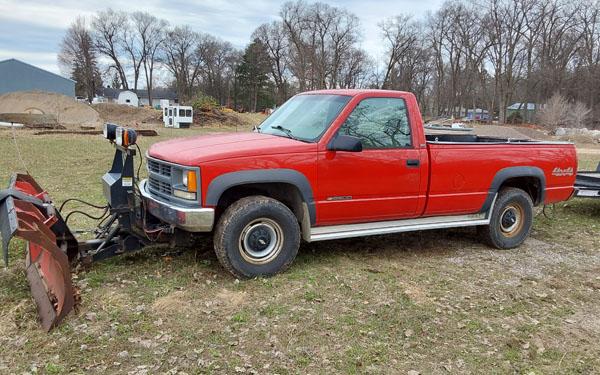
77,57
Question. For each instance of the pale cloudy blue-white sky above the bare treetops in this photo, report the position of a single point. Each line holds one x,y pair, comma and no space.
31,30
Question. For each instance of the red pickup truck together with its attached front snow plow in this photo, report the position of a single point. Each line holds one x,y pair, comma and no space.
326,165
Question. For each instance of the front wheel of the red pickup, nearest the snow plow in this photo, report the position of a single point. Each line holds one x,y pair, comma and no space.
257,236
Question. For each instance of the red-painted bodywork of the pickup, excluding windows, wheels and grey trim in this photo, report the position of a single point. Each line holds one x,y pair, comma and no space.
451,178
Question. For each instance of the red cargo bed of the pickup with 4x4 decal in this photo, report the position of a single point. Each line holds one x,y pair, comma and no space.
463,167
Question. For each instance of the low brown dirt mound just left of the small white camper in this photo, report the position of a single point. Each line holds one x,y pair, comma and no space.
127,115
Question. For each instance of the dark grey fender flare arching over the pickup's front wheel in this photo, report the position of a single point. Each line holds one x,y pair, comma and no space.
260,176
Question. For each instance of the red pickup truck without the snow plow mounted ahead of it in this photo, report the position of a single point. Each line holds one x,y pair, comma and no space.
346,163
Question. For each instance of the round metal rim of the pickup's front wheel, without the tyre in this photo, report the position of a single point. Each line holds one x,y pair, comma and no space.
261,241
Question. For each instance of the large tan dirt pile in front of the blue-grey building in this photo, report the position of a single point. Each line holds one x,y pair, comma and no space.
67,111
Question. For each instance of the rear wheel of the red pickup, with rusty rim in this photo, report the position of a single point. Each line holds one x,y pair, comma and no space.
511,219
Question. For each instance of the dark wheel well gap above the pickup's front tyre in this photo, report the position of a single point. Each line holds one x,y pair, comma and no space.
286,193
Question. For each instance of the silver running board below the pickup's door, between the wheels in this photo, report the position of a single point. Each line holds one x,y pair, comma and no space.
334,232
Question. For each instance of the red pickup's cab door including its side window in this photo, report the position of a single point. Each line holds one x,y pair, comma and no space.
382,182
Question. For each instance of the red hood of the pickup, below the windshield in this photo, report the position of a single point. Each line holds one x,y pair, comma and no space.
194,150
